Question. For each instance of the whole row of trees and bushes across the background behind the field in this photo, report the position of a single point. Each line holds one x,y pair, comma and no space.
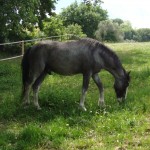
29,19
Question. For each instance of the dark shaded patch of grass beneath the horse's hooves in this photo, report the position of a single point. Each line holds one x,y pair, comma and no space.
64,105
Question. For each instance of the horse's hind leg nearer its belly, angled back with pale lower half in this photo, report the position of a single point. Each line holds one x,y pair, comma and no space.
36,87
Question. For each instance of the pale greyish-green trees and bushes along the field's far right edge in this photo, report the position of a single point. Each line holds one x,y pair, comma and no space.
117,30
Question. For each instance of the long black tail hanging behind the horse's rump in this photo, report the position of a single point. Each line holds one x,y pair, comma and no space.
25,69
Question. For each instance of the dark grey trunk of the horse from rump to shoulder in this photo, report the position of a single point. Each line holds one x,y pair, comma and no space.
63,57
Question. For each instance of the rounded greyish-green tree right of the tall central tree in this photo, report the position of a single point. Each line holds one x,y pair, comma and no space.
109,31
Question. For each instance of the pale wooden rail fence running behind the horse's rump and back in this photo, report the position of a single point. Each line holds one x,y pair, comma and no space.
14,50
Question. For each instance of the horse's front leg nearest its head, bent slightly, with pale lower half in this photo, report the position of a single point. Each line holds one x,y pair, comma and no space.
101,90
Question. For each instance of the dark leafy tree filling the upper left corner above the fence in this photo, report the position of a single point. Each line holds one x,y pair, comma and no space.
18,15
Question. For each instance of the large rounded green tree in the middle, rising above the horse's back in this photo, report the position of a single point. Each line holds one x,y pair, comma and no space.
87,16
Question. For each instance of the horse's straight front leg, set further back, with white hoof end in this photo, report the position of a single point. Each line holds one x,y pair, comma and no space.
86,79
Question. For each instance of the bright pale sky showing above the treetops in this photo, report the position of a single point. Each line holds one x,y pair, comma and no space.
135,11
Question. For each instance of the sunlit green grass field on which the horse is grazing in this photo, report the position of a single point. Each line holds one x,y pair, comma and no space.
61,125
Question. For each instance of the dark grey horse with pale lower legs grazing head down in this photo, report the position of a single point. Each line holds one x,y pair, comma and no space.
85,56
